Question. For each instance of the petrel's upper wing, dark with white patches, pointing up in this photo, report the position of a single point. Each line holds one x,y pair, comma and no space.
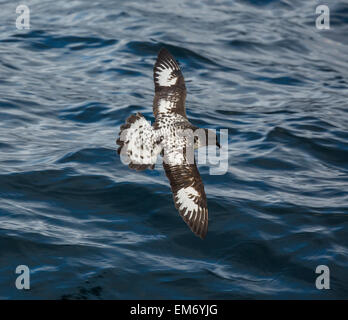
170,90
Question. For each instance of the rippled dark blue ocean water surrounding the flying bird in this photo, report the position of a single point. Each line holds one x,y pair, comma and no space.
88,227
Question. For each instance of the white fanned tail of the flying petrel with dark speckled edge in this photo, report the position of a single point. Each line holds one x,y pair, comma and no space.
138,143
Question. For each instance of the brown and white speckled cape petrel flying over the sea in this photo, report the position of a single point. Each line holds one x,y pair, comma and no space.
141,143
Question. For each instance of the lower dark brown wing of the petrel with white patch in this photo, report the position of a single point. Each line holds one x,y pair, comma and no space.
189,196
